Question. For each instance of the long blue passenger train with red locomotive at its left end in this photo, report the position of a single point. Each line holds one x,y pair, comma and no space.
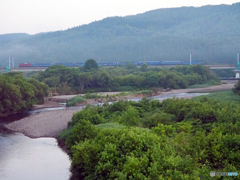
149,63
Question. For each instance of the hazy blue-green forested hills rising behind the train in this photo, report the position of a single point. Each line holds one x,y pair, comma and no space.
209,33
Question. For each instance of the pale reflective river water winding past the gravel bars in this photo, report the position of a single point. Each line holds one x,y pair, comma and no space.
24,158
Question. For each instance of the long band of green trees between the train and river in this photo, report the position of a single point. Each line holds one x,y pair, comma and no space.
64,80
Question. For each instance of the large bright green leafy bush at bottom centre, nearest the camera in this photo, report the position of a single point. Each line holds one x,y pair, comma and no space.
129,154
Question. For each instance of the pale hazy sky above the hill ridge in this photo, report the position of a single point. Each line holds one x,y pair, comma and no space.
35,16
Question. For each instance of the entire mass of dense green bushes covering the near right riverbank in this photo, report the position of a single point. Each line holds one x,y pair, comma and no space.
176,139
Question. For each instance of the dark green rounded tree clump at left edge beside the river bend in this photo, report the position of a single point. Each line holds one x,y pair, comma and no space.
18,94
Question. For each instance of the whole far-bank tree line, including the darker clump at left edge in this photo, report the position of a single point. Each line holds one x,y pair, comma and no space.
18,94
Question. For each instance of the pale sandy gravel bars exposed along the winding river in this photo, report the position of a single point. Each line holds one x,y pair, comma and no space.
50,123
